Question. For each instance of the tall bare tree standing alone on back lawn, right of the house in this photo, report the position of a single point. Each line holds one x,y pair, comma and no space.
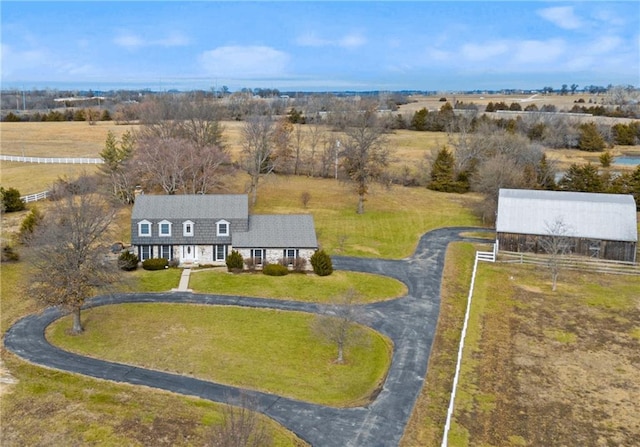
365,154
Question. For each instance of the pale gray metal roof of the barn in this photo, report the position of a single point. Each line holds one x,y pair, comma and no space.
587,215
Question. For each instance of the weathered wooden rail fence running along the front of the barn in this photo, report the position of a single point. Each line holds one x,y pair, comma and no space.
572,263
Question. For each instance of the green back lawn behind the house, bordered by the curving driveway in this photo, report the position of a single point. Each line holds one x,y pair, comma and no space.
391,226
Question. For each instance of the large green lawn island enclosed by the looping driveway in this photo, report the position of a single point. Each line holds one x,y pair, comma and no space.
268,350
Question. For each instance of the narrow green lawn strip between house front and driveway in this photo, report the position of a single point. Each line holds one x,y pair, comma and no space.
310,288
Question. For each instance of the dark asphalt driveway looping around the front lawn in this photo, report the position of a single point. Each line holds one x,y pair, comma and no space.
409,321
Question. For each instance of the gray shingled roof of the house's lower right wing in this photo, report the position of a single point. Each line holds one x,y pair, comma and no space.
277,231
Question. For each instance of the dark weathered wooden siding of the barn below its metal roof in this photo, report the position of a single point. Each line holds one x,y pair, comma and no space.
594,248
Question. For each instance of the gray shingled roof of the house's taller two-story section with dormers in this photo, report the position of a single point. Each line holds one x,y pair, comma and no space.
230,206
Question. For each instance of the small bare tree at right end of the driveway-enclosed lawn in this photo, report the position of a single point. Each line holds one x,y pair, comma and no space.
338,324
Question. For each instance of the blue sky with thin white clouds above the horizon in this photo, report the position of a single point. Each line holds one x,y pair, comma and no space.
311,46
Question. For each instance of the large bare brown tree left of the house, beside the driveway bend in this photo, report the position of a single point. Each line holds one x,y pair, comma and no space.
68,251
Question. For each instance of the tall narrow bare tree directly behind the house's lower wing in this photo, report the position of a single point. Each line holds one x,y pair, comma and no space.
258,151
